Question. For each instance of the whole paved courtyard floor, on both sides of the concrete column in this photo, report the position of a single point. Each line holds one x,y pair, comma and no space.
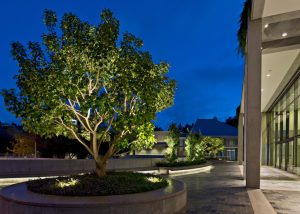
222,190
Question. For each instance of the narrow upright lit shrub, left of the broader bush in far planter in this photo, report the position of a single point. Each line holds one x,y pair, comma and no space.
172,142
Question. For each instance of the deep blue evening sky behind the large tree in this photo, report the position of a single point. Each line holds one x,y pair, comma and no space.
198,39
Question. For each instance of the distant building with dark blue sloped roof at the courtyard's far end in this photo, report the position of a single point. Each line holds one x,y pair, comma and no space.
215,128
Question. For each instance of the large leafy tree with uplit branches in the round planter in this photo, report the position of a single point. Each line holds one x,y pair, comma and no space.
87,83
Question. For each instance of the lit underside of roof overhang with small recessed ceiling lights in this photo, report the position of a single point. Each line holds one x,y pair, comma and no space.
280,20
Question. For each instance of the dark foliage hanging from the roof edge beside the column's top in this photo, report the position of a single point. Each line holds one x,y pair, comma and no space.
242,32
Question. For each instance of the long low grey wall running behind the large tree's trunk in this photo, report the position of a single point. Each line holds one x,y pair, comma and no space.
12,168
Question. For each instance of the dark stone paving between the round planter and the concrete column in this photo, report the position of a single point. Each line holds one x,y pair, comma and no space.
222,190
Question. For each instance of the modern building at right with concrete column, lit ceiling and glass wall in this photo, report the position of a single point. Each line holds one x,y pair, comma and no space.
269,121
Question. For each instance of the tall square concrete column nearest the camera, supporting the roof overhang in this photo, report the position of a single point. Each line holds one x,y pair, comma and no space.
253,104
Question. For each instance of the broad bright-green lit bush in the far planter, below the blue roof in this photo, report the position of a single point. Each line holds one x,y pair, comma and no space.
198,147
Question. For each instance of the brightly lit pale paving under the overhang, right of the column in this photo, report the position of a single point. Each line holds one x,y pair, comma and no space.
282,189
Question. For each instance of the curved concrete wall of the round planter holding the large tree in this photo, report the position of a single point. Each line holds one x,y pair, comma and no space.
16,199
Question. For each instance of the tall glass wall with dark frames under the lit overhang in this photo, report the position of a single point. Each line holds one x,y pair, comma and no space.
284,131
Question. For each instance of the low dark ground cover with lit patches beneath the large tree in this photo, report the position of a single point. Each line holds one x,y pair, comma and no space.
115,183
